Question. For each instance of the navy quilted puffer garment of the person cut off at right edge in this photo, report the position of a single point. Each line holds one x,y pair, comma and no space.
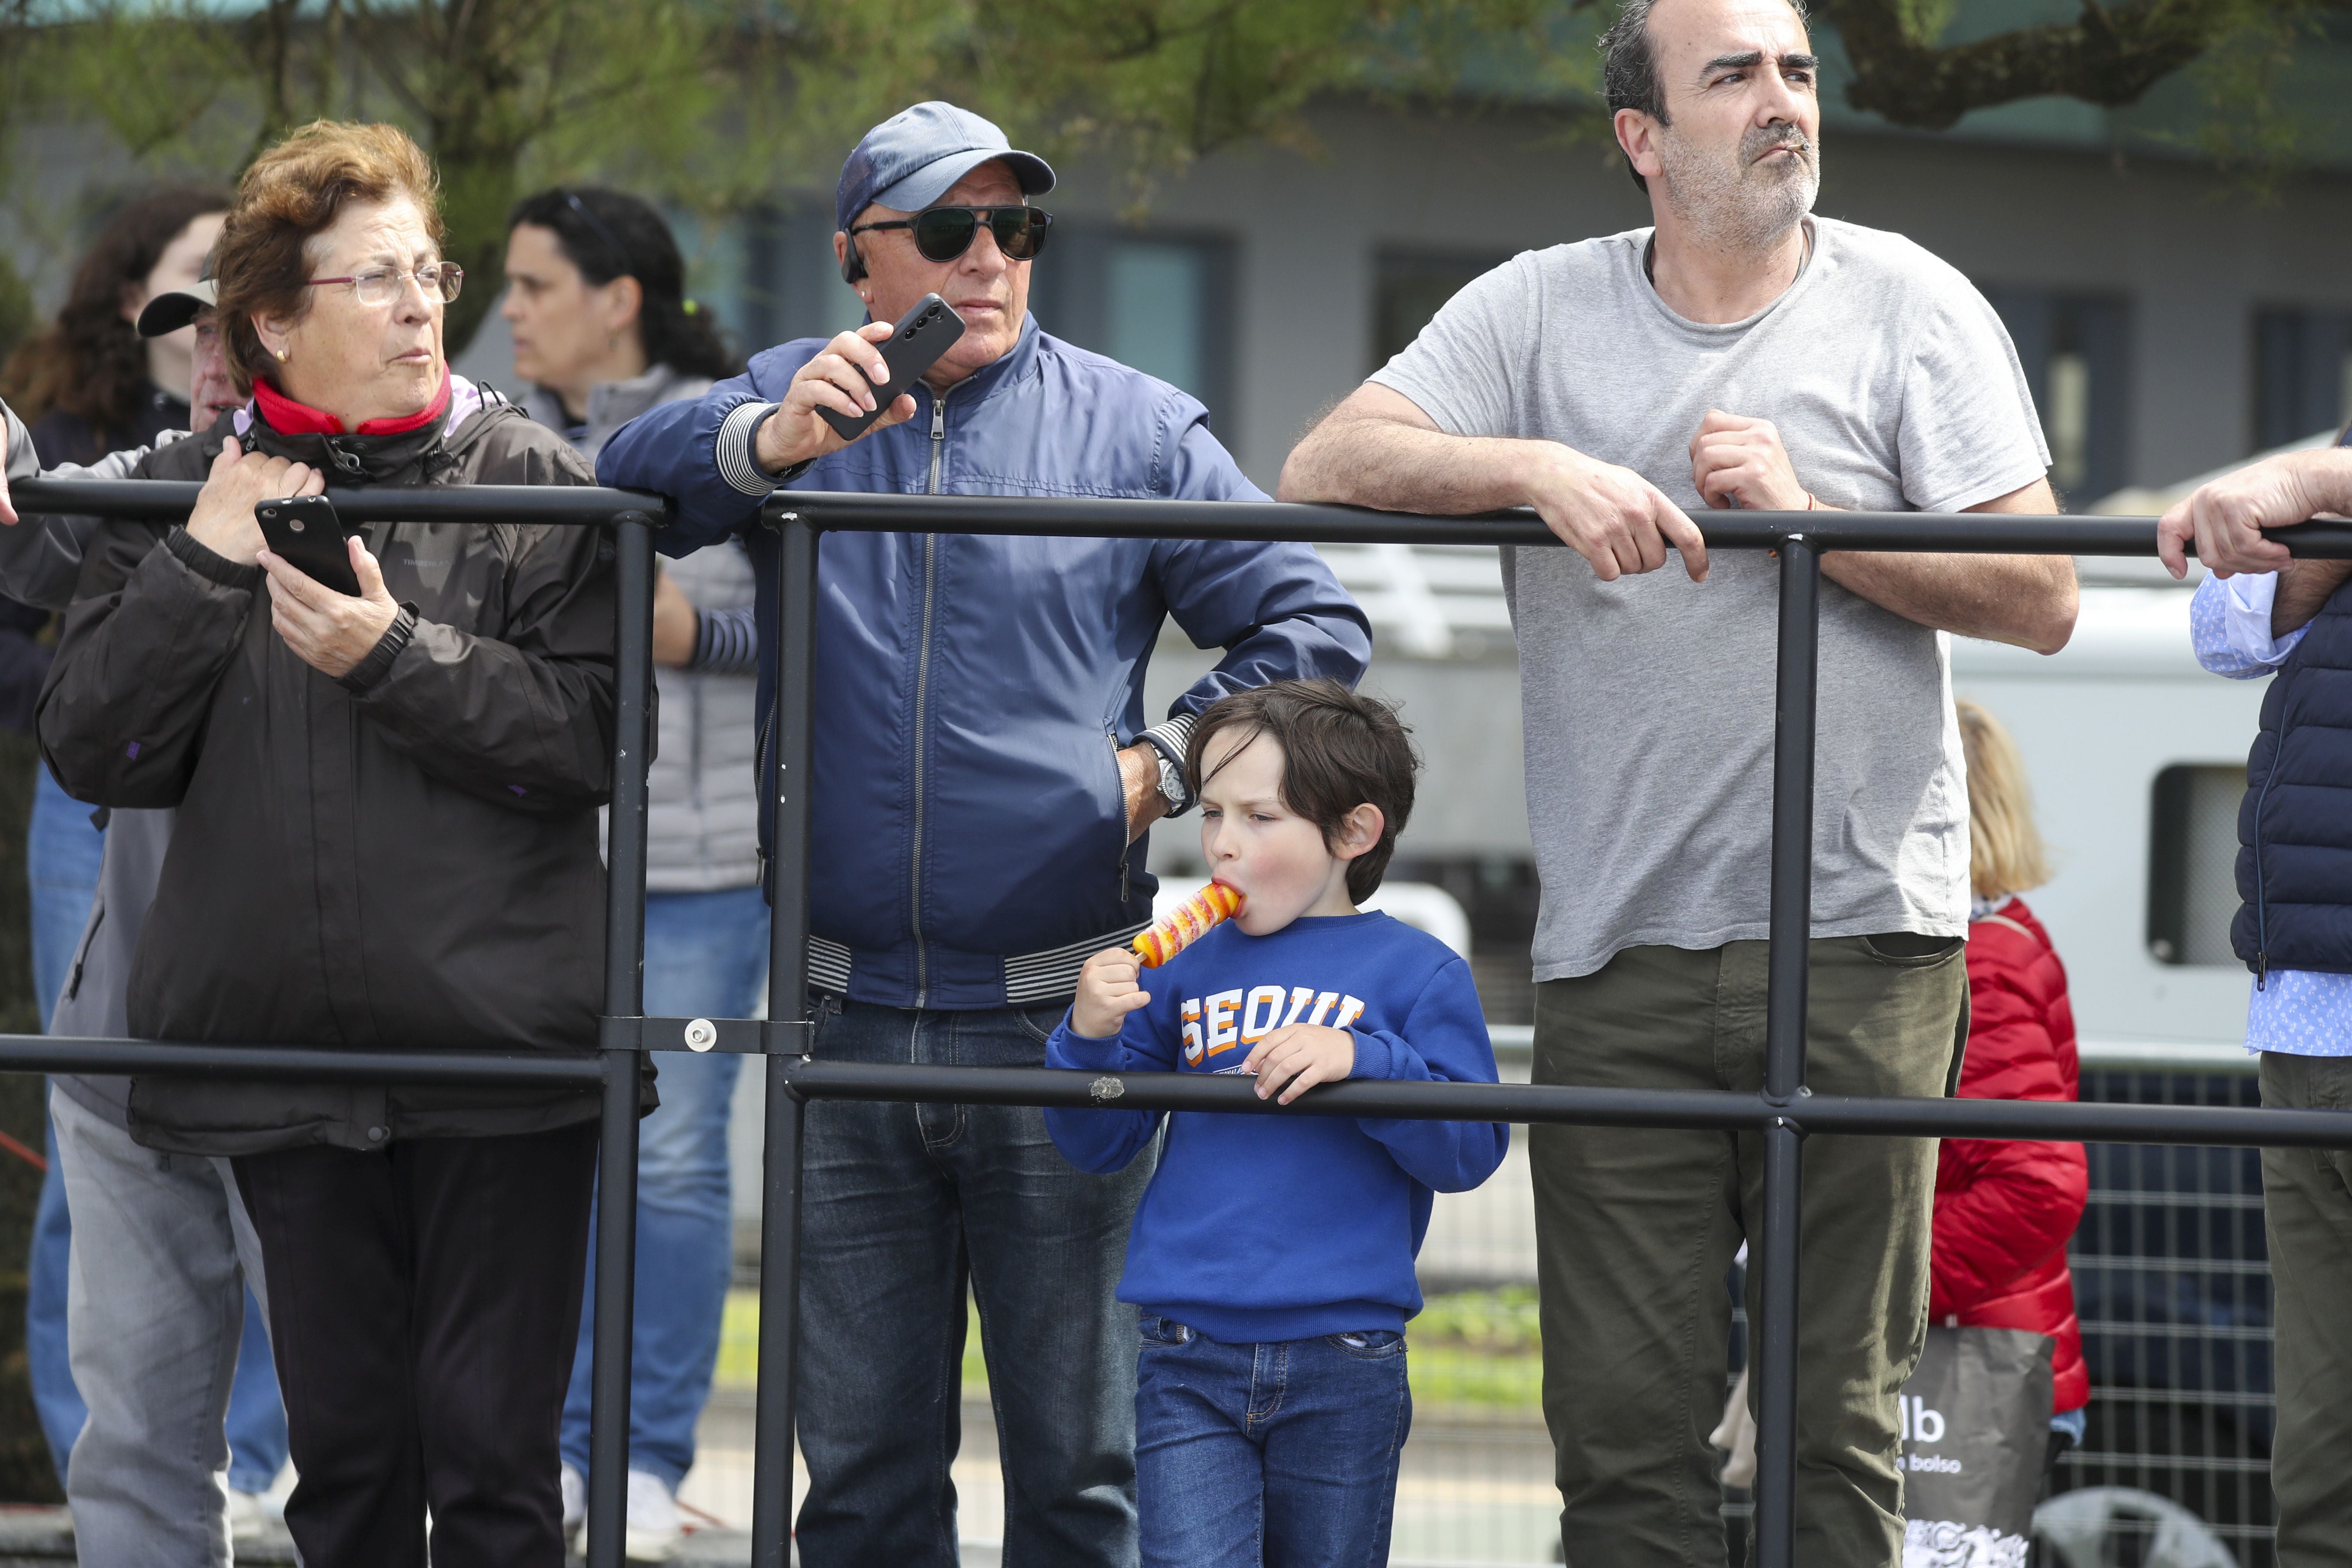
2294,829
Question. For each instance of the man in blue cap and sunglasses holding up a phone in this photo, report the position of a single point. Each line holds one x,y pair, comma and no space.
984,782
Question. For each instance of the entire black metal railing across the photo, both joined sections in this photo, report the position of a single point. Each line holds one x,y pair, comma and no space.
1784,1113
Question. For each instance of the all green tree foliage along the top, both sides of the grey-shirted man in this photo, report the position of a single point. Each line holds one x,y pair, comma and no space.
723,102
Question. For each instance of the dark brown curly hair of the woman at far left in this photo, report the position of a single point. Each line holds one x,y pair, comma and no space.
93,363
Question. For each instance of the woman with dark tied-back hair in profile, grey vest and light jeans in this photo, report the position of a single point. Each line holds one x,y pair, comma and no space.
603,330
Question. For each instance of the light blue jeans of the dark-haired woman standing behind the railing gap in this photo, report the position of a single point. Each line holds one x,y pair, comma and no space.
704,958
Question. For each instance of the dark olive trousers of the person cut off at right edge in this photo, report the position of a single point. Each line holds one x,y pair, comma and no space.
2308,1214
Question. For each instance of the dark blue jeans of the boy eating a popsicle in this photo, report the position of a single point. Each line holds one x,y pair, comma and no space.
1274,1454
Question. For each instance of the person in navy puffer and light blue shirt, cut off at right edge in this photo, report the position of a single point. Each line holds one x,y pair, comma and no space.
2264,612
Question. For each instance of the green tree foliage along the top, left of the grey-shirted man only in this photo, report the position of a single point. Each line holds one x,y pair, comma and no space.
721,102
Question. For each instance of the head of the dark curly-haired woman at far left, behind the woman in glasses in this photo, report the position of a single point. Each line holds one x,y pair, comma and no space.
93,384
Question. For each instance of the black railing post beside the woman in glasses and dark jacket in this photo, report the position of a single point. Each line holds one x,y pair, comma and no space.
624,998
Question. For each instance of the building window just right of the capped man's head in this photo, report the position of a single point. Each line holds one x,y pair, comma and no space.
1161,304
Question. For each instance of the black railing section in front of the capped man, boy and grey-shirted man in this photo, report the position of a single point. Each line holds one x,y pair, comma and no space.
1784,1113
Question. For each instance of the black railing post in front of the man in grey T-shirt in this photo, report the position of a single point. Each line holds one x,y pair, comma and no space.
1784,1050
